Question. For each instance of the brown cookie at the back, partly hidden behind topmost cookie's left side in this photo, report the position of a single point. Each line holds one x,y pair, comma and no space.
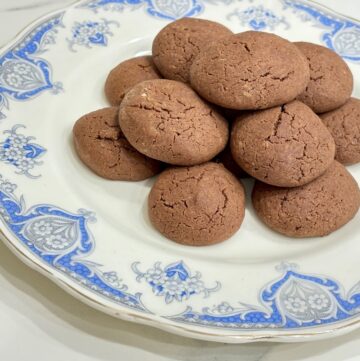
177,44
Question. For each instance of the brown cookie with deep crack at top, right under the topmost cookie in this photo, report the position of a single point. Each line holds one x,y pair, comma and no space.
285,146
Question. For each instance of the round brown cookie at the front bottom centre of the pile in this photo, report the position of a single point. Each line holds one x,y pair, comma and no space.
197,206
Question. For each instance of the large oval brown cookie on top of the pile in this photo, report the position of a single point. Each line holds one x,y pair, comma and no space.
250,70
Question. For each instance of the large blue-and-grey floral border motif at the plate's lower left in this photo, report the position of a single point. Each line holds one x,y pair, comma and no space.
62,240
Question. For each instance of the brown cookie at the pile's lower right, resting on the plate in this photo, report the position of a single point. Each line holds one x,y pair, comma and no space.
315,209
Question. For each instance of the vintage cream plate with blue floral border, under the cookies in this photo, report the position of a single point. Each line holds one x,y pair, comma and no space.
92,236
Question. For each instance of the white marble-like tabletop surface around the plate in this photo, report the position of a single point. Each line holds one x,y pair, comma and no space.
39,321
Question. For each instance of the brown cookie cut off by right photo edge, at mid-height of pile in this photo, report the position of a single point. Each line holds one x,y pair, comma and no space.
344,125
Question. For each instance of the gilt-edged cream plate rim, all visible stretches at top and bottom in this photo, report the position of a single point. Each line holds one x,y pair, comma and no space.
71,287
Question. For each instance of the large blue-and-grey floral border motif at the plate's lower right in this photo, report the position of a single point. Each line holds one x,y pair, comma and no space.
295,300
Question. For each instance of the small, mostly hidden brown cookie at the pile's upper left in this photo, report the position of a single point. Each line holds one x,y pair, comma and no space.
127,74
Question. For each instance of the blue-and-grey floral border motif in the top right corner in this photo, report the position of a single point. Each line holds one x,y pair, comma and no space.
341,35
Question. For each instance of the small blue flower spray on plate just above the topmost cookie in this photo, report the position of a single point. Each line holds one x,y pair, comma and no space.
258,18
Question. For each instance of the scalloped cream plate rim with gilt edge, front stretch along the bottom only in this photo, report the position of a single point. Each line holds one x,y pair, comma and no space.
79,293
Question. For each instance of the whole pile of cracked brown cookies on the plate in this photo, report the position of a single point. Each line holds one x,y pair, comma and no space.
209,107
